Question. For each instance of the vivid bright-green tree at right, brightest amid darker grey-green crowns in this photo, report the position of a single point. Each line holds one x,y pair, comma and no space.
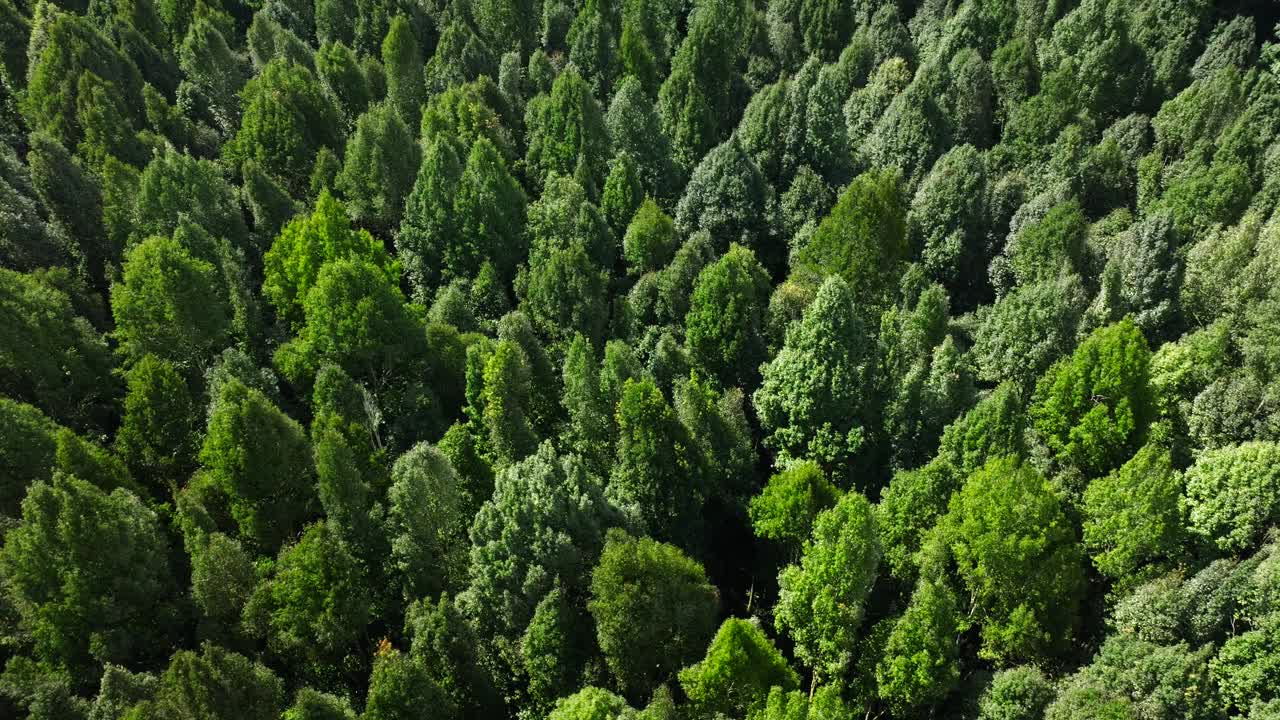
1094,409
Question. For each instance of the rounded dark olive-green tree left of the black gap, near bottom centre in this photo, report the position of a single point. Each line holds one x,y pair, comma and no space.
653,610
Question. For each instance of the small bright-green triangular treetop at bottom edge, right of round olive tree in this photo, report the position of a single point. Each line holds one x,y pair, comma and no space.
738,673
